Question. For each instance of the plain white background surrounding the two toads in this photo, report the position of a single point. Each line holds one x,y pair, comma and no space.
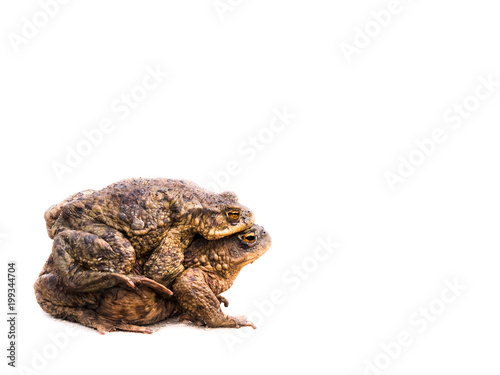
321,176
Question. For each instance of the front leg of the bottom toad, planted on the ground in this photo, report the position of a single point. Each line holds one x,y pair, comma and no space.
199,301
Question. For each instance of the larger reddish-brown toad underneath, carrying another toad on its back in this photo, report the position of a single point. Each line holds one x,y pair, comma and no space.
211,268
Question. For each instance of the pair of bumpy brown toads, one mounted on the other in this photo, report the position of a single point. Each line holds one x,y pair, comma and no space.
117,250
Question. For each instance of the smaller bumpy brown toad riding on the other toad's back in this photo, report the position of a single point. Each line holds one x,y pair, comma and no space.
100,235
